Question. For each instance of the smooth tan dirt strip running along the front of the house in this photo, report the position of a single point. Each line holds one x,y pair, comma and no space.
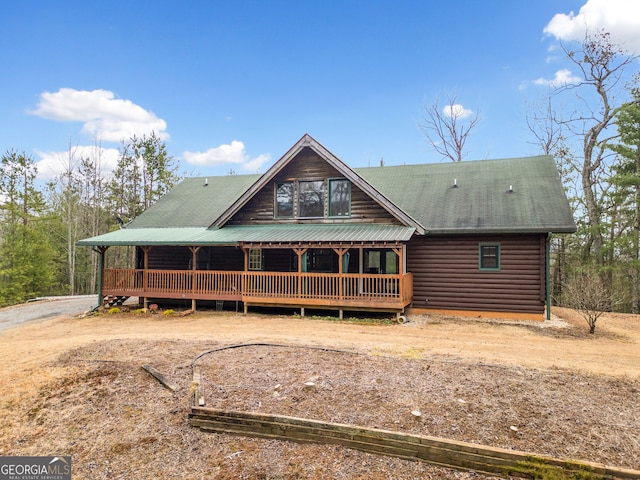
564,343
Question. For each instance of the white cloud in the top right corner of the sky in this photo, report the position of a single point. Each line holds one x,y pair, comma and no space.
620,18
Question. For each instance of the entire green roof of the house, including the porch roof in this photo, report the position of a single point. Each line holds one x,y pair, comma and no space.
487,196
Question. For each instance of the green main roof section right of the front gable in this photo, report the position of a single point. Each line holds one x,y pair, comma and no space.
481,201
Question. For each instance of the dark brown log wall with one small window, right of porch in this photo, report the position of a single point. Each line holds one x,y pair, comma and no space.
446,274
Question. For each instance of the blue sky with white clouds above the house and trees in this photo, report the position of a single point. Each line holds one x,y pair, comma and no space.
232,85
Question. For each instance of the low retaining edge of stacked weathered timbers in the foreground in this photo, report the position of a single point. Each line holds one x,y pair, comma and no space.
434,450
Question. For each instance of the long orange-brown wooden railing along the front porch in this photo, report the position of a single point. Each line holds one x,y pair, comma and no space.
263,287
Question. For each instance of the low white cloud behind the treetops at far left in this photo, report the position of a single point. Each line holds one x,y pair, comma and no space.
53,164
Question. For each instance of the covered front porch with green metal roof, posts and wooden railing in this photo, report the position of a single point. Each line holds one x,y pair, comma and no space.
334,267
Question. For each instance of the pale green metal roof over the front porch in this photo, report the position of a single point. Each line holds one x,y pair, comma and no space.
235,235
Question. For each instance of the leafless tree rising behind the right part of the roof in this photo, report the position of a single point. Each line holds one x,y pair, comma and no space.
447,127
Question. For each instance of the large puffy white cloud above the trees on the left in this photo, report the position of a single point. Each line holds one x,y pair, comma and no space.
104,116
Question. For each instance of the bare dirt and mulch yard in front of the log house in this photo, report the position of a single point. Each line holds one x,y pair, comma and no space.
75,386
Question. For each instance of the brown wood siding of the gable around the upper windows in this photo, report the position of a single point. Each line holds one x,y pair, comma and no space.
308,165
